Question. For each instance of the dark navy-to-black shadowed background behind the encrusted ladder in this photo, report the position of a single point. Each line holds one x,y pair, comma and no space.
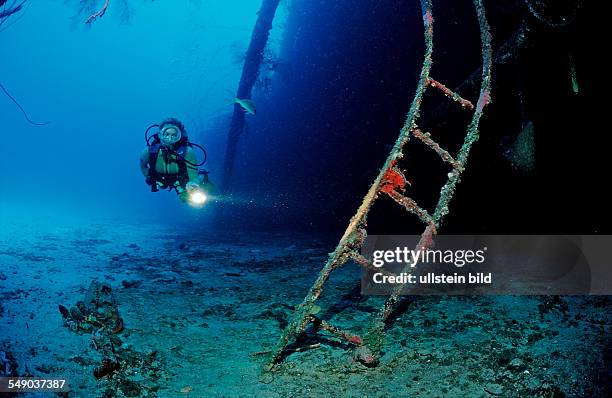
347,87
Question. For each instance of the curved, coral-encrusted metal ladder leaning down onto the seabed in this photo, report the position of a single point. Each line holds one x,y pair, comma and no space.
391,182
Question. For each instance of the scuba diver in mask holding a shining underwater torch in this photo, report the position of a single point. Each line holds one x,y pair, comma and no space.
169,162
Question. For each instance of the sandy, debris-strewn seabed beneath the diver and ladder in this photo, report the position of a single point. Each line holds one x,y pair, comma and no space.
196,309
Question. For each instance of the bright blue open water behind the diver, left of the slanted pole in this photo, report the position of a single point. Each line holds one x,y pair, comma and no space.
100,85
